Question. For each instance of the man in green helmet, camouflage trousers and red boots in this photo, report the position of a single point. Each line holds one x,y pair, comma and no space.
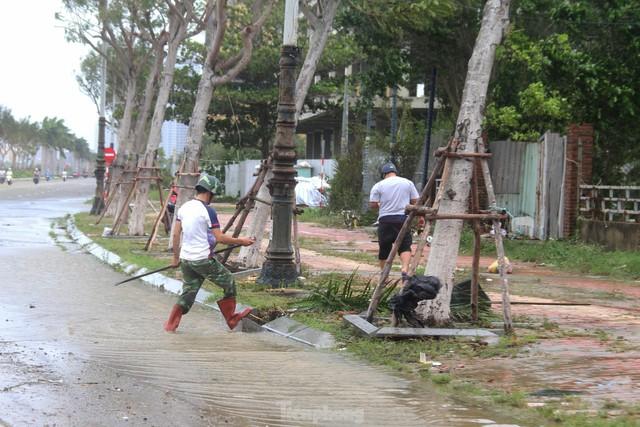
198,229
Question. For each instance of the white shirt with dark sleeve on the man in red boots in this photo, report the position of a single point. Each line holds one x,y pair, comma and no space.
197,219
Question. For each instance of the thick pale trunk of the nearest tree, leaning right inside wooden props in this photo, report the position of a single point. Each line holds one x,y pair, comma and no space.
468,133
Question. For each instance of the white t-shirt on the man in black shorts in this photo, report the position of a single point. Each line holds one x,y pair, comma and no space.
393,194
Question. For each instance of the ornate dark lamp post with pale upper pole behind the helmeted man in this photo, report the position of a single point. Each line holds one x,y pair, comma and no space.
279,268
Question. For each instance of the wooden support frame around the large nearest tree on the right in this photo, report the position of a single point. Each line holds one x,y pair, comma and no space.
427,206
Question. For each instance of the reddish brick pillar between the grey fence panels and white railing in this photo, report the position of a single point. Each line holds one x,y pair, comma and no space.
576,160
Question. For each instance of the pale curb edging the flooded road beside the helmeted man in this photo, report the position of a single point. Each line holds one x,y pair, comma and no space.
282,326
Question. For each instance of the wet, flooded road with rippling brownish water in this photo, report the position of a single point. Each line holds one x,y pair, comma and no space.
75,350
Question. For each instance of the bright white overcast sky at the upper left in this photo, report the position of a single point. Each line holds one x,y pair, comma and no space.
38,68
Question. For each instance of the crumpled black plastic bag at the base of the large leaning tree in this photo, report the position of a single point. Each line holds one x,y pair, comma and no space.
418,288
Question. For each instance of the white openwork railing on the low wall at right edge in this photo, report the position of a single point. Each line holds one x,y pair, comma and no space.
610,202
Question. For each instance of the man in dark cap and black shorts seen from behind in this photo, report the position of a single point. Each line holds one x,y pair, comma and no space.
390,196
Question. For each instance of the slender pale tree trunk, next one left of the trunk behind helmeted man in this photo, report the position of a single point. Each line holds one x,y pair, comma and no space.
177,29
